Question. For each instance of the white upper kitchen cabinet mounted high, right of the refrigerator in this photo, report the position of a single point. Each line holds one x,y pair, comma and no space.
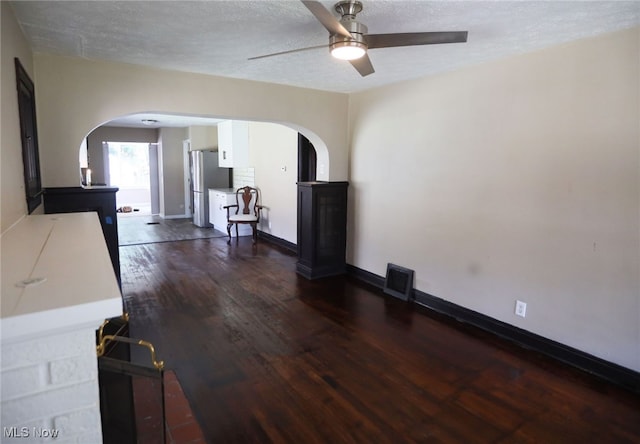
233,144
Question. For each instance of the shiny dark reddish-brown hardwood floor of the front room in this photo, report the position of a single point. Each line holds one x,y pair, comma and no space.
263,355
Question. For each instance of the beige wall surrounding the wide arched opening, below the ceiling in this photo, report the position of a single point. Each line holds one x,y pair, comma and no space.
75,96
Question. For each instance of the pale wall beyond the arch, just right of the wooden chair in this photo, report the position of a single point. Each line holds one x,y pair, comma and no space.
273,147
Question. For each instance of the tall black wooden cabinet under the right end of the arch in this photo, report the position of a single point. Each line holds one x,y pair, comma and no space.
322,228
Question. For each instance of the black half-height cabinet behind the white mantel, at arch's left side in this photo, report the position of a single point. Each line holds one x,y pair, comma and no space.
100,199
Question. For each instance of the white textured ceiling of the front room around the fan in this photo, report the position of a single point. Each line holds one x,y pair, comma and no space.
217,37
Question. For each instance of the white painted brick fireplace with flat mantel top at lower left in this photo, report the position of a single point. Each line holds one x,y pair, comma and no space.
58,285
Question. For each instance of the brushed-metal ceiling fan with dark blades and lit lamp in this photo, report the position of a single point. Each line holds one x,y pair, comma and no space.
348,38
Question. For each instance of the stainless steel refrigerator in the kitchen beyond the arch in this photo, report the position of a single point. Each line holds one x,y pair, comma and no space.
205,174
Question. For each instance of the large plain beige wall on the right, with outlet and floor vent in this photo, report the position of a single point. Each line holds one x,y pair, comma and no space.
517,179
